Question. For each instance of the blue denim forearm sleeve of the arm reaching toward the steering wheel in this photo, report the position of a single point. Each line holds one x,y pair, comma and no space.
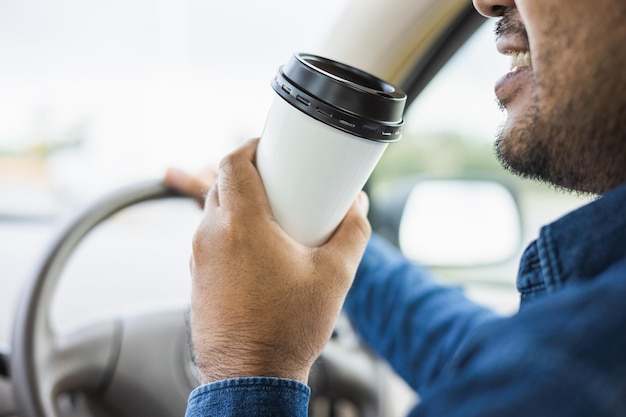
406,317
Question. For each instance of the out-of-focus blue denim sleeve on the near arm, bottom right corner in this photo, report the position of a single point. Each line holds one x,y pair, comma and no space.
563,355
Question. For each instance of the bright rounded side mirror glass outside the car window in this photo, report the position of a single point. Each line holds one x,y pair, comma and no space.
454,223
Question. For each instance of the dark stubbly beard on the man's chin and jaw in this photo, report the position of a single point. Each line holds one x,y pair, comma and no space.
577,149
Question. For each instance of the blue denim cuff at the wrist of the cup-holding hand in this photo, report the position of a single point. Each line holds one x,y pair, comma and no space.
250,397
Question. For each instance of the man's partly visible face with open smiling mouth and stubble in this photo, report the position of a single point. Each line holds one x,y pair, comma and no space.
565,96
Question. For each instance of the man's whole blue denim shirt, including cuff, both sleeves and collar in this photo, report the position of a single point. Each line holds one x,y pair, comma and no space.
562,354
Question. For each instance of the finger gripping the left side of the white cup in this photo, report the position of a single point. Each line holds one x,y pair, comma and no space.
239,183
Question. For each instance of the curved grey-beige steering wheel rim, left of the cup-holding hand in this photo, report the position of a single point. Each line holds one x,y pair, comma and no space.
32,318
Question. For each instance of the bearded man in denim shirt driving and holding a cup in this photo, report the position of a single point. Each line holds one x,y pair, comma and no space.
264,308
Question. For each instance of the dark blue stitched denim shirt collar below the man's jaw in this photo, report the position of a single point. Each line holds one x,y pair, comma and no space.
578,246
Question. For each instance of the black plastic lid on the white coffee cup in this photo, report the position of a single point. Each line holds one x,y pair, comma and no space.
342,96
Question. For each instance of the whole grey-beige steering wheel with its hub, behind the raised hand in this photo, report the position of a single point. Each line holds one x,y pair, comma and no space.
140,364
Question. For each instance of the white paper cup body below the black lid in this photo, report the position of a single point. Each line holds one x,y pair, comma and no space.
312,172
